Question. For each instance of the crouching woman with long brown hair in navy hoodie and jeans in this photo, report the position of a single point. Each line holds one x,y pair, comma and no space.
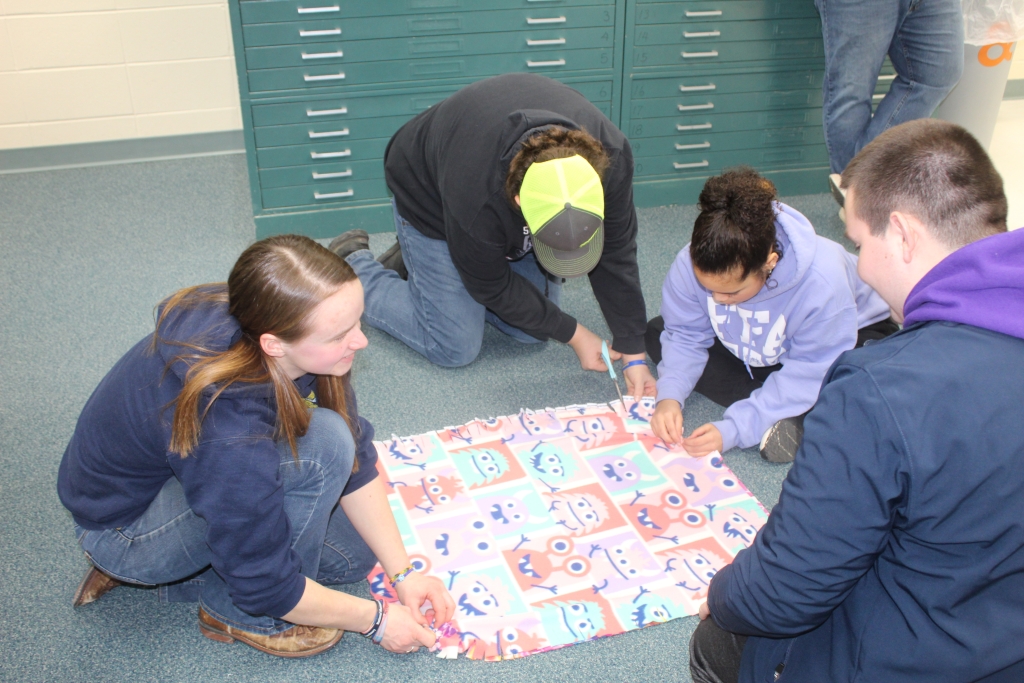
211,460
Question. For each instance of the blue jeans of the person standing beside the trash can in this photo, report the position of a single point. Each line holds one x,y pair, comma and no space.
925,42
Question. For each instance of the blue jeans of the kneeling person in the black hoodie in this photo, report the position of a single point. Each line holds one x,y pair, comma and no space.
433,313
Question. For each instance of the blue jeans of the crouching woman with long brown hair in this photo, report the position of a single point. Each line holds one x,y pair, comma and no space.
166,547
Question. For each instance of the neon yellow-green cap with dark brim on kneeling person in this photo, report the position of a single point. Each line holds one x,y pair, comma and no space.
563,201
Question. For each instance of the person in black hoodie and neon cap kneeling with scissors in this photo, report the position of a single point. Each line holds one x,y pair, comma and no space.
475,250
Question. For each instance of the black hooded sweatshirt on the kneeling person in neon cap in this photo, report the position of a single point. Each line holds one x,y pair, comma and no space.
447,169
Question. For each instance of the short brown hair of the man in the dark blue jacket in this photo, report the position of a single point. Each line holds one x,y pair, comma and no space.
934,170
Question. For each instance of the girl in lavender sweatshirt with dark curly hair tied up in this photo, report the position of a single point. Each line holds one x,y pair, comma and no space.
754,313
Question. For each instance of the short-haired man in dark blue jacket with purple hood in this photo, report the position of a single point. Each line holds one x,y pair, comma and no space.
897,551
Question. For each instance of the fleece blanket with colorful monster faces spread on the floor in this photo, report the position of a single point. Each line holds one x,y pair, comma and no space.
563,526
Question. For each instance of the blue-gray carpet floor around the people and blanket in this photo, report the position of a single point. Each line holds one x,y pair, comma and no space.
86,254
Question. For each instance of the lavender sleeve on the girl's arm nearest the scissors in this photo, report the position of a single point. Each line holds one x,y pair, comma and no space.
688,334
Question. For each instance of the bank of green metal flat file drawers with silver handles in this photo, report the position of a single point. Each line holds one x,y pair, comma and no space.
698,87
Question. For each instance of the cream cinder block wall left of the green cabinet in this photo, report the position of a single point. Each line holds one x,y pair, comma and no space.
86,71
